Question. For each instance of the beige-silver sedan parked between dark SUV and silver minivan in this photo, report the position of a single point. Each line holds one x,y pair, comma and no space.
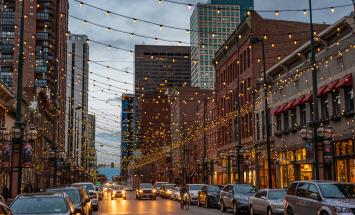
267,201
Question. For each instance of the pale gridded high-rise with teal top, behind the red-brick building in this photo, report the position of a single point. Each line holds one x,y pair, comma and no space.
210,25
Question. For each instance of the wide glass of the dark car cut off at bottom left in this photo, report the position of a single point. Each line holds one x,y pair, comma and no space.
39,205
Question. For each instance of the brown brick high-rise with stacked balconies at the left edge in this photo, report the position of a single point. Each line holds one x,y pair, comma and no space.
44,66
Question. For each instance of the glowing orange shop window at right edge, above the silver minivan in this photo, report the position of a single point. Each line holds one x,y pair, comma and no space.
344,158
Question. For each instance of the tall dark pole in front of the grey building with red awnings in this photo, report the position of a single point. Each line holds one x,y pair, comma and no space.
315,97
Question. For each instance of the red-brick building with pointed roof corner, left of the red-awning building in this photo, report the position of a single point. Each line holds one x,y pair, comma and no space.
238,67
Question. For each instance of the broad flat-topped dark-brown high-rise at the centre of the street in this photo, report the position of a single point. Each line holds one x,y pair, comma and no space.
159,70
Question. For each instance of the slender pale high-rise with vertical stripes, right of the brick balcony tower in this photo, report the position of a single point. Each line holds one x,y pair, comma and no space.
77,98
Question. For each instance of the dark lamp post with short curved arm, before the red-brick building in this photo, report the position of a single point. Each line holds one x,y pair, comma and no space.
254,40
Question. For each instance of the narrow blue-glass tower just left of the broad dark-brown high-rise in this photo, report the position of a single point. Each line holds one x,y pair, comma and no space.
127,132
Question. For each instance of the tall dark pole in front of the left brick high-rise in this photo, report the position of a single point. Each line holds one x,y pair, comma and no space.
18,123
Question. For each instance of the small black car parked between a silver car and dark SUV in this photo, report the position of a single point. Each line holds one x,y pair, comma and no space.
208,196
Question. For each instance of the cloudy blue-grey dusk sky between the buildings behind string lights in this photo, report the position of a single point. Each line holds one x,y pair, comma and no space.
104,102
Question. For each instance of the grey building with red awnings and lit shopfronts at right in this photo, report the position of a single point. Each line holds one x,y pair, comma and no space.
290,100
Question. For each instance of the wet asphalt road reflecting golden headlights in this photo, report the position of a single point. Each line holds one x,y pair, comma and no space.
132,206
